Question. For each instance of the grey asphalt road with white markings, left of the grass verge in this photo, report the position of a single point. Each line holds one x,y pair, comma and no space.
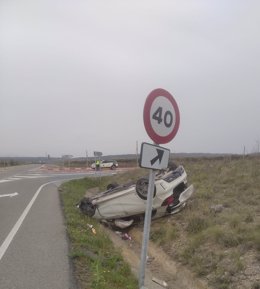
33,241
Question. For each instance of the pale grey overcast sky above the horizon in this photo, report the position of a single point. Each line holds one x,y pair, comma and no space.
74,75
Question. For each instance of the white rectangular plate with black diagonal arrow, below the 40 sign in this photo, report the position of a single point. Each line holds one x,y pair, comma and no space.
154,157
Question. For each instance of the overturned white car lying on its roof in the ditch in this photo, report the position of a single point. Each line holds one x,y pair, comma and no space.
122,205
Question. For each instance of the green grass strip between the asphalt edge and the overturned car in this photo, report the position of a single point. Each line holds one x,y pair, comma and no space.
98,265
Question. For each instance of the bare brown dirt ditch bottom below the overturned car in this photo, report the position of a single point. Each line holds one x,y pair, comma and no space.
159,266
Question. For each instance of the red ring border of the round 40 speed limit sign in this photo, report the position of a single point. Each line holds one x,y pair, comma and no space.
146,116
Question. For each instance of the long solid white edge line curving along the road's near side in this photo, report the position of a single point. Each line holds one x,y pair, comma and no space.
18,224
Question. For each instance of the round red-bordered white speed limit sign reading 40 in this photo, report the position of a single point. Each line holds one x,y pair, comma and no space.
161,116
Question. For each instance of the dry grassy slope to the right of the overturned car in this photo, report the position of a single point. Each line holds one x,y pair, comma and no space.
218,234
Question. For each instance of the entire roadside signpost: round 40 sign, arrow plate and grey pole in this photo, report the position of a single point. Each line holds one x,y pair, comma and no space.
161,120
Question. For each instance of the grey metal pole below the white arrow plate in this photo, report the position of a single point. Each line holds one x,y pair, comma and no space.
147,224
